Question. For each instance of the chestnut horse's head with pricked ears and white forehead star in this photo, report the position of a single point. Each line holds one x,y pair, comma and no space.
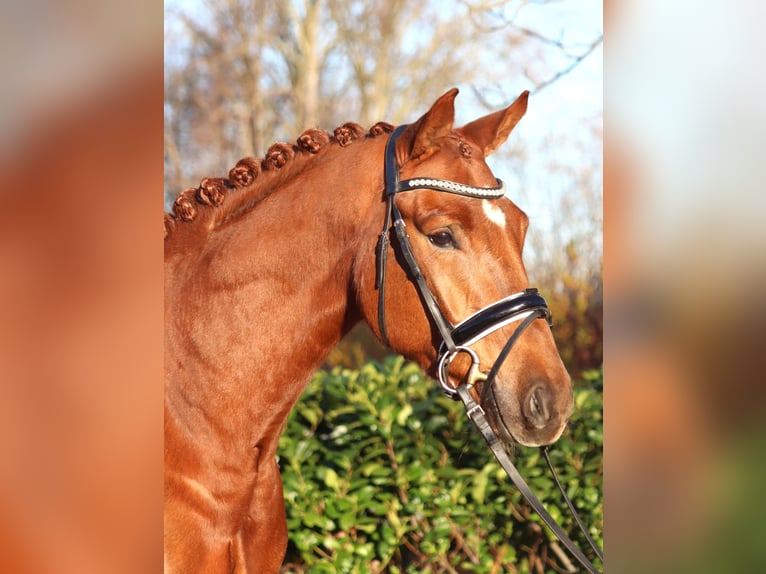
468,246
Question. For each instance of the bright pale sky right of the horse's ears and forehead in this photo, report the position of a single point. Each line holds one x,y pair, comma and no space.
559,120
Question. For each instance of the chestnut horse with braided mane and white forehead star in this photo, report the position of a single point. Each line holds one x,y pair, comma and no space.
267,269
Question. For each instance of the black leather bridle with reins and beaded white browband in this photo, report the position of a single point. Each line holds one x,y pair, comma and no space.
525,307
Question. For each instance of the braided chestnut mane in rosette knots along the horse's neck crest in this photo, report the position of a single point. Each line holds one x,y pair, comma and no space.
218,200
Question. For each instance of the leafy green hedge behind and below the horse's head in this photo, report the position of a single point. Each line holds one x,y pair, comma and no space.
382,473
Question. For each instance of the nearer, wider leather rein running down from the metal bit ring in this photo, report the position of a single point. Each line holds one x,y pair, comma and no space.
478,417
